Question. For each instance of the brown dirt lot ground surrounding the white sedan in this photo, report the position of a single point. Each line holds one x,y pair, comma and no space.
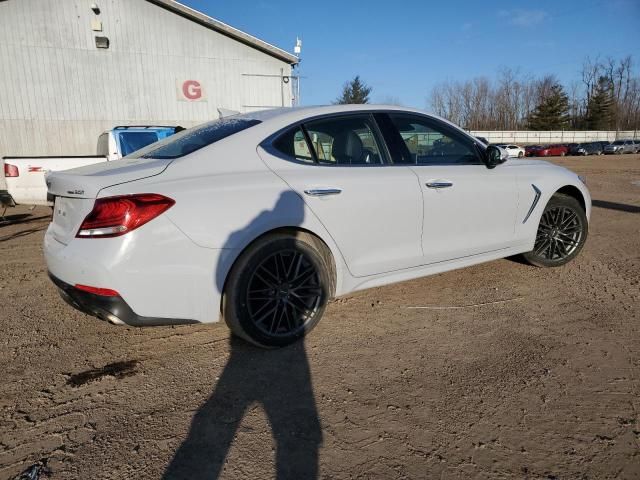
543,383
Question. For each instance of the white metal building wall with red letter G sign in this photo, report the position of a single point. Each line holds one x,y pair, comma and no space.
70,69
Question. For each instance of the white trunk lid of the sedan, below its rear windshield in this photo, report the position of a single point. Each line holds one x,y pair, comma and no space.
75,190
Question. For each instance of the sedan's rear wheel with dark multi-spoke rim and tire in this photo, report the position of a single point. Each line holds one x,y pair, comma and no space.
278,289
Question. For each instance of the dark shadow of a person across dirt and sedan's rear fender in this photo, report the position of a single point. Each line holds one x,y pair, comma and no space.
277,380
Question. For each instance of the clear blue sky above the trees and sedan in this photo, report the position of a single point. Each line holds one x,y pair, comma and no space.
402,49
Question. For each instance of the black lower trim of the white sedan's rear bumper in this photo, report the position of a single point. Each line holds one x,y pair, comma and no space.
111,309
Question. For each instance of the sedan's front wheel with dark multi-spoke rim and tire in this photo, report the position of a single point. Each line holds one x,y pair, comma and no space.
561,234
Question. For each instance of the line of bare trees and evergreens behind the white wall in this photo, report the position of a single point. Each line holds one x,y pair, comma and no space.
607,97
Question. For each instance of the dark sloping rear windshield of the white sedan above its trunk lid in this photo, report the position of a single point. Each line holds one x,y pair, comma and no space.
195,138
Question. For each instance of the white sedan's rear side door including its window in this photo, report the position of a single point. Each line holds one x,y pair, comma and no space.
373,210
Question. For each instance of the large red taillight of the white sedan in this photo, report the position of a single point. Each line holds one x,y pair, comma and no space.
115,216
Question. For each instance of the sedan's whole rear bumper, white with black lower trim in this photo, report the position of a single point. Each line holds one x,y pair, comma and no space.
160,276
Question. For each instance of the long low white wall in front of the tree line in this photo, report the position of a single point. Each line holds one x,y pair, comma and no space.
567,136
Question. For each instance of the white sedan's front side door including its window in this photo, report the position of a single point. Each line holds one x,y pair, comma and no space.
468,208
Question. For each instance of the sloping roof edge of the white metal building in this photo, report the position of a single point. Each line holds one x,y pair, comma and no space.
227,30
